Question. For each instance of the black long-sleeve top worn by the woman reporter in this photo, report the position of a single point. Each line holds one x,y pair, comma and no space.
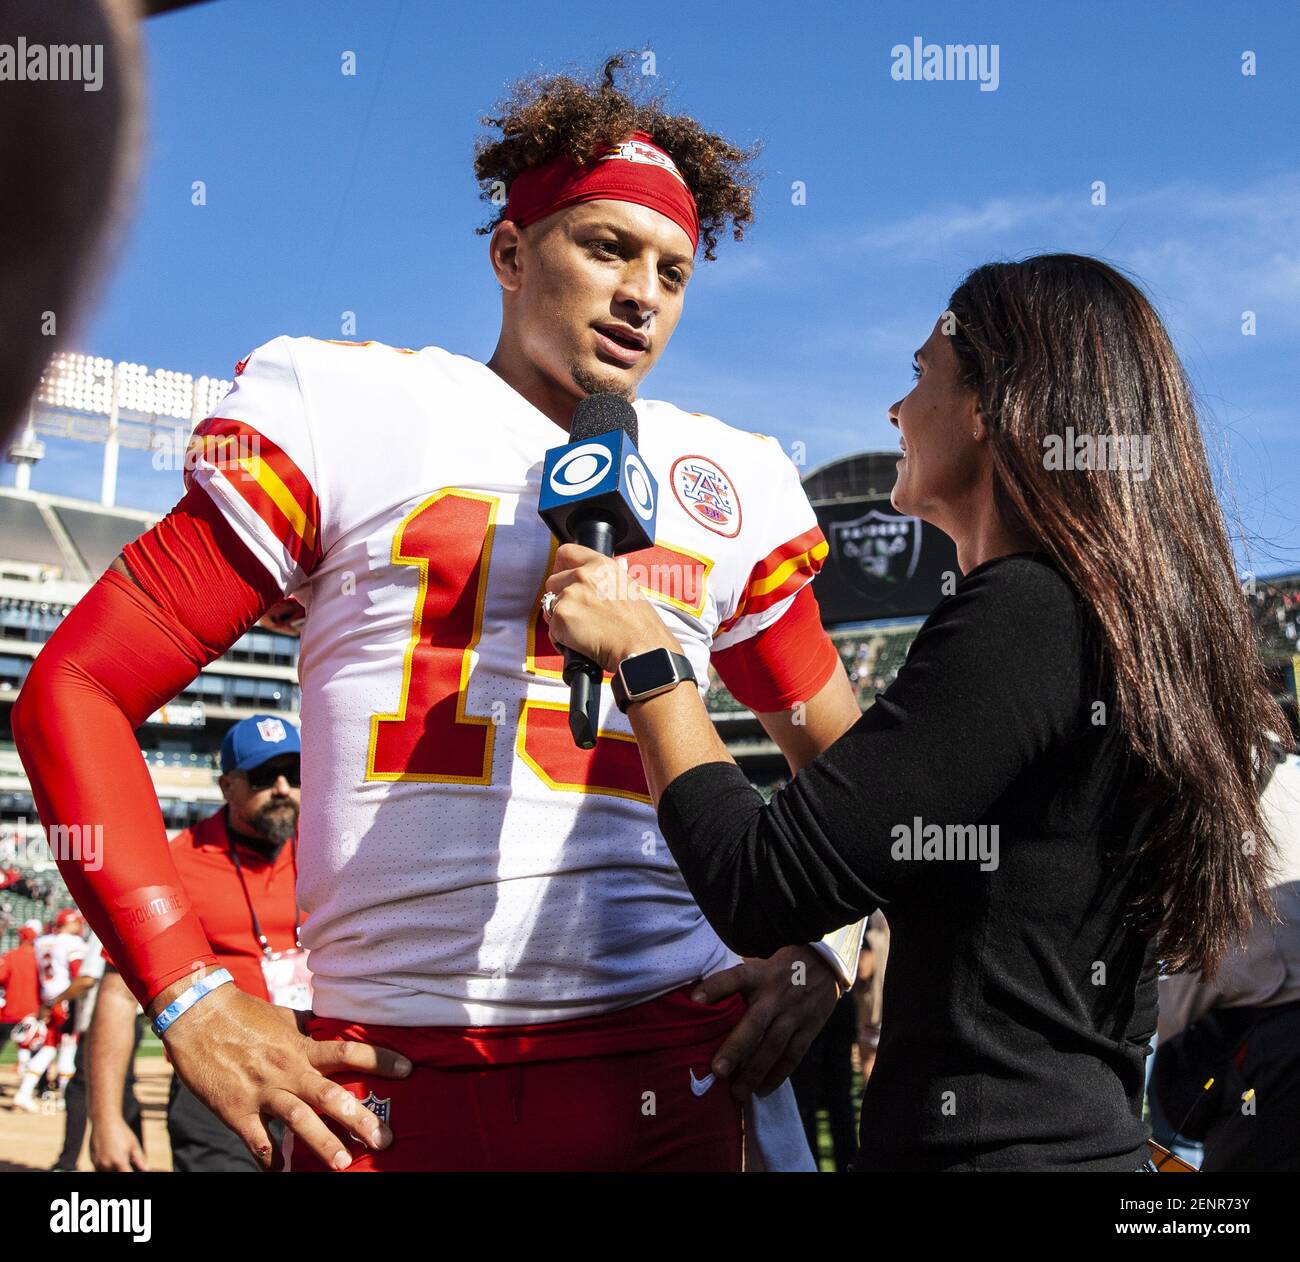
1019,1001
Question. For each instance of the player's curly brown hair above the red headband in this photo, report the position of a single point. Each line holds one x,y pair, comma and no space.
544,116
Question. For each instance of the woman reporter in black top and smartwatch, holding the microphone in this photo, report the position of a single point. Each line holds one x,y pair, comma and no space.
1060,787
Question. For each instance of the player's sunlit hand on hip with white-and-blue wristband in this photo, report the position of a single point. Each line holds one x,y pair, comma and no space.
248,1061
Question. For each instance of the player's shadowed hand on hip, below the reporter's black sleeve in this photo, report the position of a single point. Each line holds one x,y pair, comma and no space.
790,998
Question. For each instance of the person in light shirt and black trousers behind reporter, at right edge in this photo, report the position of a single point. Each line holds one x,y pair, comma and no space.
1242,1030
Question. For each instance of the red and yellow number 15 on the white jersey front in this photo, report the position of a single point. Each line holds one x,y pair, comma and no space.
432,738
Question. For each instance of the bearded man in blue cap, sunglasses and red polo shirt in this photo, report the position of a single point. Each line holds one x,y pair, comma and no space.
240,869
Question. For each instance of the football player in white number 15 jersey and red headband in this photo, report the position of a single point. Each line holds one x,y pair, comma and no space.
508,965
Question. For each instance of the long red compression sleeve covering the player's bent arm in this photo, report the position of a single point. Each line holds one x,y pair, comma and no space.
122,653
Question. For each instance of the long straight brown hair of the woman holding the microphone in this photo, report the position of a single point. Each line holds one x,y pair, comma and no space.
1061,346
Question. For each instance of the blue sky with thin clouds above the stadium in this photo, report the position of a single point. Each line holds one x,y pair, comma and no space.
330,193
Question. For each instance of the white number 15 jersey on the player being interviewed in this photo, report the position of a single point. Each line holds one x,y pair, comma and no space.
461,862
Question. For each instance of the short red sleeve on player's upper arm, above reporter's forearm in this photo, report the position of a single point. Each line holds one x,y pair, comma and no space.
786,663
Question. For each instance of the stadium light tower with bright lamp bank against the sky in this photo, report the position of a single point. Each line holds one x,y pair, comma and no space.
89,398
